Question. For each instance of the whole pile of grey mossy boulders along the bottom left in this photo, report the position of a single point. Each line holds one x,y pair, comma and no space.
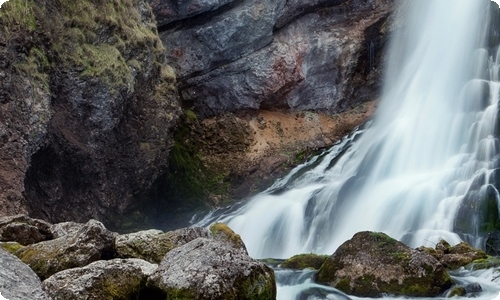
87,261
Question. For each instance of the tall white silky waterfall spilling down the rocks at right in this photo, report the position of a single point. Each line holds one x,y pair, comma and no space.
421,171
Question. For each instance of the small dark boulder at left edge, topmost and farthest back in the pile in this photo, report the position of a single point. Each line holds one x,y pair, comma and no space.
24,230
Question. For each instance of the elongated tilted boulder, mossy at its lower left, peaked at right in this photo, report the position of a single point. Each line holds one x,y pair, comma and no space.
91,243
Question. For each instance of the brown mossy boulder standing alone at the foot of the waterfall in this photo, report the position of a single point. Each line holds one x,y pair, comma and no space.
372,264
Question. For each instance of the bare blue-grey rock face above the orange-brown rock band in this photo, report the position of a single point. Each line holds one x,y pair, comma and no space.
274,54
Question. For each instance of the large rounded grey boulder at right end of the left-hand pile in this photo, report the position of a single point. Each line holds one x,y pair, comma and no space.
213,268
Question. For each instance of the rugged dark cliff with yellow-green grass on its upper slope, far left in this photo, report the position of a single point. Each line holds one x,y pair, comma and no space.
87,108
